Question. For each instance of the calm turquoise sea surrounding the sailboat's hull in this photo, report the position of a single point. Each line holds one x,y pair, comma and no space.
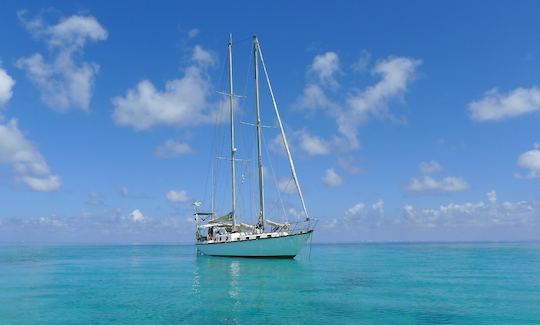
338,284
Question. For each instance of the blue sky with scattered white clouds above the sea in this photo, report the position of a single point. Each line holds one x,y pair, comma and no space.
411,121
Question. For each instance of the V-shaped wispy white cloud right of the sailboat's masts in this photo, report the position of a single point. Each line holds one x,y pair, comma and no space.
395,73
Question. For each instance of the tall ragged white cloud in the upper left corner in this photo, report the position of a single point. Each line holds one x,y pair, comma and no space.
63,82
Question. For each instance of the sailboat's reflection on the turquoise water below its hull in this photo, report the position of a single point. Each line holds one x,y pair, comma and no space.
225,284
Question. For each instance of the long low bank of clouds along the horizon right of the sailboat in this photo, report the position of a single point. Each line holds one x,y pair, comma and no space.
459,217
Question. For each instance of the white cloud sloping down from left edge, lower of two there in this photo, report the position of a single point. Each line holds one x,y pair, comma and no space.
26,160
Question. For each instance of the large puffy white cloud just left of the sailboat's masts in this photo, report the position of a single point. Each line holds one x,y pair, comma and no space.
183,102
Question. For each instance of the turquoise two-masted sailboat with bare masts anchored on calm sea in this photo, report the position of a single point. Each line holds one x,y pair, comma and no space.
225,235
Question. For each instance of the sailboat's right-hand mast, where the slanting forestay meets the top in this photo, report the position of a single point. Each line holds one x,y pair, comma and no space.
260,222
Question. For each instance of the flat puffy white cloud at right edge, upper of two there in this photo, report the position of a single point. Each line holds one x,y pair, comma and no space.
495,106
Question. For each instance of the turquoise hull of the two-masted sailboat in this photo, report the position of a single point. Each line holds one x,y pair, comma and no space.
280,247
